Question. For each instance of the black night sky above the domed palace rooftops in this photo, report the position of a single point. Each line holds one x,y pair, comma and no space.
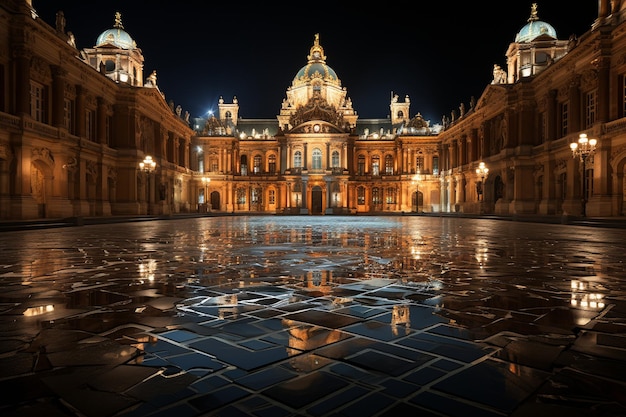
440,53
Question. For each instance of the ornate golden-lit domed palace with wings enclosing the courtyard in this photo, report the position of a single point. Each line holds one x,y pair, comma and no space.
87,133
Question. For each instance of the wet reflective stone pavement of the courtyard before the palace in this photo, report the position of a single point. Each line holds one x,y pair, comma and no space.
313,316
